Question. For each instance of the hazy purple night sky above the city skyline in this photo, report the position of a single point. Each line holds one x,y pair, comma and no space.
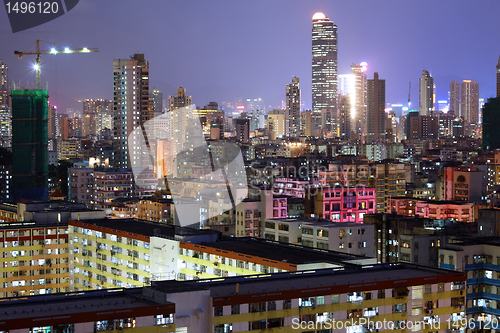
224,50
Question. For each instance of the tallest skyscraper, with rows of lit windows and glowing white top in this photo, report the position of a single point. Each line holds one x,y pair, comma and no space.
324,73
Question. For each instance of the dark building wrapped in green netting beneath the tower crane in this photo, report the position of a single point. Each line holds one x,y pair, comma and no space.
29,144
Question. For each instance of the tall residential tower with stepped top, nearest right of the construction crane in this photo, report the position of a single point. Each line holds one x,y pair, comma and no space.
131,106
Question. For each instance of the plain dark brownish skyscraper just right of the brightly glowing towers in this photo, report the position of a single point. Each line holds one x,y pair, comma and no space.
375,109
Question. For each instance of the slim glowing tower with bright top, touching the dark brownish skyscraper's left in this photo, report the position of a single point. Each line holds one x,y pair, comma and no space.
358,99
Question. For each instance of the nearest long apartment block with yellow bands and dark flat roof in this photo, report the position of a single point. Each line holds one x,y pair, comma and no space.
432,299
